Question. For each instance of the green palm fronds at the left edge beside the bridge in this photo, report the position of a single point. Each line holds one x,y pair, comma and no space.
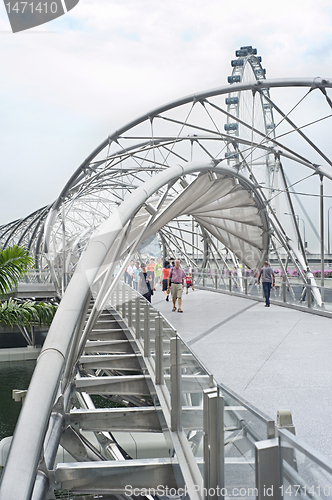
15,262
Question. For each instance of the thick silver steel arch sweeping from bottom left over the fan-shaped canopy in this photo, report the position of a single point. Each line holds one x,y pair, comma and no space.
114,240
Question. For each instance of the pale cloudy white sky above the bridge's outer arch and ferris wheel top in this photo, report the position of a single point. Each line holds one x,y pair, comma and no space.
66,85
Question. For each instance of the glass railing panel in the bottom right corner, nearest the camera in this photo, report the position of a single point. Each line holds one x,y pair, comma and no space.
304,472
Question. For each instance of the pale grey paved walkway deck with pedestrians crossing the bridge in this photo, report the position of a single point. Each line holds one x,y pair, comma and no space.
276,358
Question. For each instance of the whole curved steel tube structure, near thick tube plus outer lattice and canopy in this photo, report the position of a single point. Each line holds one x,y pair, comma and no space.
164,173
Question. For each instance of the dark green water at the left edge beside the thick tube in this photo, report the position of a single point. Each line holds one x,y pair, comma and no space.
13,375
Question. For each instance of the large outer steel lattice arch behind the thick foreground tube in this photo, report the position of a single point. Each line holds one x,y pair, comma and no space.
181,131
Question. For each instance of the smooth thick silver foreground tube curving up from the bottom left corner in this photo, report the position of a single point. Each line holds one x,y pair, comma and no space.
29,436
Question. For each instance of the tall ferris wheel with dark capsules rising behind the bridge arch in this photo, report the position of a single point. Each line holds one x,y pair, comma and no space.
250,116
